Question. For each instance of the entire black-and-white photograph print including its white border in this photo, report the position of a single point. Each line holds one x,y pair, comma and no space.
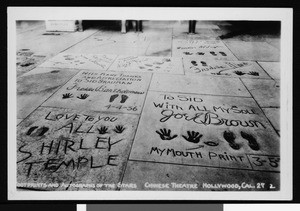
146,104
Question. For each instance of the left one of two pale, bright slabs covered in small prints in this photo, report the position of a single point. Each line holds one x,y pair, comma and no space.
80,61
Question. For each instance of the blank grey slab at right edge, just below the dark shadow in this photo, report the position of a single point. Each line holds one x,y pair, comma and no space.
254,51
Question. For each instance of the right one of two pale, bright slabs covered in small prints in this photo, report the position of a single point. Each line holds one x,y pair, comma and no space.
148,64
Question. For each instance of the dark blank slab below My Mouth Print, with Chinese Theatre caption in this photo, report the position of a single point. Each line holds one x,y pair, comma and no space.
146,176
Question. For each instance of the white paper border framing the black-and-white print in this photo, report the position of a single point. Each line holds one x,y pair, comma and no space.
285,15
